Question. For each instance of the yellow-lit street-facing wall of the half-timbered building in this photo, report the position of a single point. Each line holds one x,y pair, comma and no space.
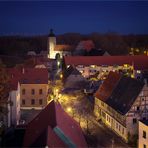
111,119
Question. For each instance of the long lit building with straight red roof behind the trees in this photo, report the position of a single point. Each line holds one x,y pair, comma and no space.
89,65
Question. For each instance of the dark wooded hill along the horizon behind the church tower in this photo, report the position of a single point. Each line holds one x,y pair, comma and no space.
113,43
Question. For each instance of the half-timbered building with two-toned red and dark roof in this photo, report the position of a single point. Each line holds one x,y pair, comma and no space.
120,102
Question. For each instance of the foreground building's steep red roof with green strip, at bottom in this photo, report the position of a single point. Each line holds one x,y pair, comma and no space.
53,127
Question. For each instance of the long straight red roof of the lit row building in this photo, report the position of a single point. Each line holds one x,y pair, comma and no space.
138,61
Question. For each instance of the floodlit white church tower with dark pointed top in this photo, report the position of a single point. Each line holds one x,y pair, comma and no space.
51,45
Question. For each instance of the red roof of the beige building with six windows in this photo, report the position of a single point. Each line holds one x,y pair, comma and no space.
27,76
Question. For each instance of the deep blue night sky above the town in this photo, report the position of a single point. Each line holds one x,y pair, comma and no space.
36,18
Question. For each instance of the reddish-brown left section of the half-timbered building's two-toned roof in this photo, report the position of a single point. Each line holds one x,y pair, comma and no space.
107,87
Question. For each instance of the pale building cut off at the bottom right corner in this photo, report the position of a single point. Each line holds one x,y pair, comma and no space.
143,134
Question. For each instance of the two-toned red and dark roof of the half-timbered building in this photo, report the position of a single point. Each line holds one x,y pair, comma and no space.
119,92
